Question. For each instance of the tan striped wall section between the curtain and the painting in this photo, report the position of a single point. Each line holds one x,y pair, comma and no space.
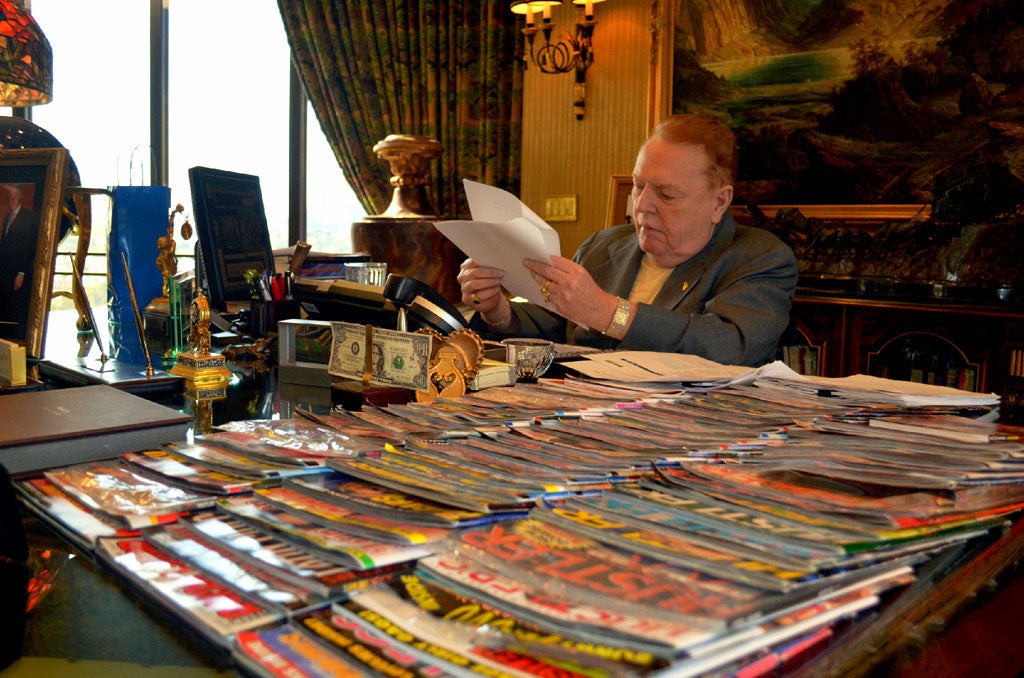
565,156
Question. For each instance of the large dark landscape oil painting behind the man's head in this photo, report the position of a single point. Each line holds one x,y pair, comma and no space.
860,102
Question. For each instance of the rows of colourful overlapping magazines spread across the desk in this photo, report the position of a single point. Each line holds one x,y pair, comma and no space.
551,529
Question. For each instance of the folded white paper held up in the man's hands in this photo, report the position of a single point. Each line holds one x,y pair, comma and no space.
503,233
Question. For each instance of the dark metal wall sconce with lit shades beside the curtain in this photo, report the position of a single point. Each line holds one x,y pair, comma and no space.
572,54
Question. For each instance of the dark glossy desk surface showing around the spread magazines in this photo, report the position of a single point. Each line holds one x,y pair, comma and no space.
961,618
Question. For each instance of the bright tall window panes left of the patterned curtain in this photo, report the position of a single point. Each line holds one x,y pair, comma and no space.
228,109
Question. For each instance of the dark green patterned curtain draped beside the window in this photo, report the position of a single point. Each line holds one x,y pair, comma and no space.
434,68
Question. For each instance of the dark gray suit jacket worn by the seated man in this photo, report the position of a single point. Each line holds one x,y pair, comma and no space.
730,304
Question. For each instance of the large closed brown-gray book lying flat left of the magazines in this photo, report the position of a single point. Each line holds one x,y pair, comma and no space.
50,429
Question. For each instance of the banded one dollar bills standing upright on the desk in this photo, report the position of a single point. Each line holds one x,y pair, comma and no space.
397,359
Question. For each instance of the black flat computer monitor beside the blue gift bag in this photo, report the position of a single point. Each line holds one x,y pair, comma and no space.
233,232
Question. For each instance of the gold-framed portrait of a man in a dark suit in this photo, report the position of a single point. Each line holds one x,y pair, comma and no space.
32,187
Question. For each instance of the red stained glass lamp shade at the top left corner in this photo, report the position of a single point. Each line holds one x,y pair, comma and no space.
26,59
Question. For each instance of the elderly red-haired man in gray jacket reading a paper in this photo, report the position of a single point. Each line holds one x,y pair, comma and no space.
684,278
